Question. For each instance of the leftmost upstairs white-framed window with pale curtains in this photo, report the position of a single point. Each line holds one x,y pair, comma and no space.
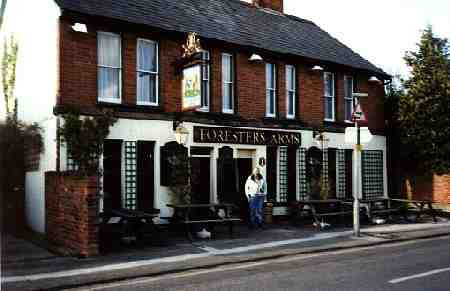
109,67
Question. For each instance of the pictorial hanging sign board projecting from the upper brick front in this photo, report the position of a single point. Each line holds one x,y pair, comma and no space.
191,87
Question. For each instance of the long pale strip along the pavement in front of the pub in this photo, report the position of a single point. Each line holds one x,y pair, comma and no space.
143,263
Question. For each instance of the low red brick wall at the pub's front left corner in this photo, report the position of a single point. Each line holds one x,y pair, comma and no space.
72,214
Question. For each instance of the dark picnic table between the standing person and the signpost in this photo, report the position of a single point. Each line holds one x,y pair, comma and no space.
319,209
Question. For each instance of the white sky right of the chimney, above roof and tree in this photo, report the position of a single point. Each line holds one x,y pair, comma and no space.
381,31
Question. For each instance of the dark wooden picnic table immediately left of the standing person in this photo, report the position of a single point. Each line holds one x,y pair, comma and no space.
207,214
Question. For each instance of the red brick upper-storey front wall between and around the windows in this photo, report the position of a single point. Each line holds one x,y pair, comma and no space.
78,76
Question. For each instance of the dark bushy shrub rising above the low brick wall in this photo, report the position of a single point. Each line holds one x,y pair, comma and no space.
84,136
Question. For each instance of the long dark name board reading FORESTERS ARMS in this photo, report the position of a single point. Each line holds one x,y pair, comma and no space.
233,135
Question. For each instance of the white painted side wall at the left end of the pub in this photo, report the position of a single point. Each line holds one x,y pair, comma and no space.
34,25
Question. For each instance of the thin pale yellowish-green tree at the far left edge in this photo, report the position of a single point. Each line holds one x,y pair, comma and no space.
9,62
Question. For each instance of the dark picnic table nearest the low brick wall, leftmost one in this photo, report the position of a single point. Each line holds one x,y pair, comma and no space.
121,223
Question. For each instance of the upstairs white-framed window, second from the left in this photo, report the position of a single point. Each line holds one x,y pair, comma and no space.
147,72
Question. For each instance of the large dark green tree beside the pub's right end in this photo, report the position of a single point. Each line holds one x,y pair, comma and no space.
424,108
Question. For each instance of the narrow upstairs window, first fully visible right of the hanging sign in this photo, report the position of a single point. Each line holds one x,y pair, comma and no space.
227,83
